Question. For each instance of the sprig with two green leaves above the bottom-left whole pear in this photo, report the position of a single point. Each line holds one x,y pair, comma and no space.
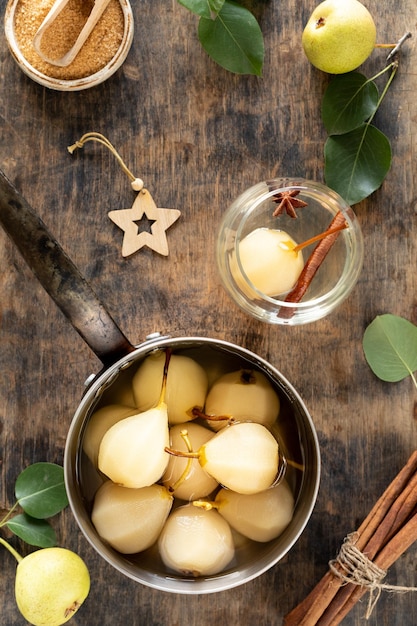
40,494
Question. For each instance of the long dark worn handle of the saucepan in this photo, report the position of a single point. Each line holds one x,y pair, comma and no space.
59,276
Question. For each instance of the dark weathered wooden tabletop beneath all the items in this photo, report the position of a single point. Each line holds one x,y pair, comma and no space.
198,136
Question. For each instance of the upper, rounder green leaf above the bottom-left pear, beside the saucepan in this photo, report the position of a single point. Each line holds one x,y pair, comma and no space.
40,490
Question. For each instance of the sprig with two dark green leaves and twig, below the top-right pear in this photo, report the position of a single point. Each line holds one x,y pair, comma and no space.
357,154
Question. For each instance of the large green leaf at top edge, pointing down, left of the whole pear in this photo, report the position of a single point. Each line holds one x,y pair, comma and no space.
233,40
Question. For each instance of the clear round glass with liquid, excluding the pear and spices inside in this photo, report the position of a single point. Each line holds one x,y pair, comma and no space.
337,273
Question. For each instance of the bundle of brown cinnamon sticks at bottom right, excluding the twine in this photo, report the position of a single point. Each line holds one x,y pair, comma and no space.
388,531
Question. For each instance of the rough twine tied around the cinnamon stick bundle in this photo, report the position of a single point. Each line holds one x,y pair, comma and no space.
355,568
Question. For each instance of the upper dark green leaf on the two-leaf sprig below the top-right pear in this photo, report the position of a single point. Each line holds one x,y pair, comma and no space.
348,102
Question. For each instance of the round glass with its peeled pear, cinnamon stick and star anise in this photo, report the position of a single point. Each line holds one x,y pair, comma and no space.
289,251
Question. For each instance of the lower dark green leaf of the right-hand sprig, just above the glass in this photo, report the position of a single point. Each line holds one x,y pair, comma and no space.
357,162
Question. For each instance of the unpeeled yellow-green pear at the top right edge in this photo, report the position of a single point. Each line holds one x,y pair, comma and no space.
339,36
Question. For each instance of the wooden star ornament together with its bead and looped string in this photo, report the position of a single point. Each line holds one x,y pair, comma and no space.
143,206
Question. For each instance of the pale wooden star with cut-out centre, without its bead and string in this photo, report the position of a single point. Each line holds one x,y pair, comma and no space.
128,219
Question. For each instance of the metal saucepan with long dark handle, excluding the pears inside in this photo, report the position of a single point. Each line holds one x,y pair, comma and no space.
120,359
